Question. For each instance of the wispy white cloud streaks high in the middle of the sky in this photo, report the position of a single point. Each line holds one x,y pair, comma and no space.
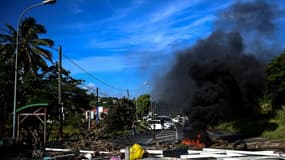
154,30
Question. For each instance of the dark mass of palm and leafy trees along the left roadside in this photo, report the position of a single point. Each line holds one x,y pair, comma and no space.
38,83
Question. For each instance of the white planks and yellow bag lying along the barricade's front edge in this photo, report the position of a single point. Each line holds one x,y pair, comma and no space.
138,152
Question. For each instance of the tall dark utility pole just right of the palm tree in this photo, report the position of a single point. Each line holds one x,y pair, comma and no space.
60,104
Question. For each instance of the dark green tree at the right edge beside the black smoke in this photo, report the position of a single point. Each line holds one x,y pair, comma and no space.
275,81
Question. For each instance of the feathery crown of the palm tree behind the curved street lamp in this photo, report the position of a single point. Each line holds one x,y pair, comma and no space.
33,53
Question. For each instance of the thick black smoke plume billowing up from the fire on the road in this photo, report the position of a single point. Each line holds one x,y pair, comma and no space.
222,76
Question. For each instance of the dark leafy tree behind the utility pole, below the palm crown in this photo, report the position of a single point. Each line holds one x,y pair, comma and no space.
44,88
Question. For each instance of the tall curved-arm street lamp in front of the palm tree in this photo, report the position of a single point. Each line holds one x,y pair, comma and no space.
16,59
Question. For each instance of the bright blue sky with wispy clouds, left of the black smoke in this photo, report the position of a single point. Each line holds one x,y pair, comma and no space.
121,42
